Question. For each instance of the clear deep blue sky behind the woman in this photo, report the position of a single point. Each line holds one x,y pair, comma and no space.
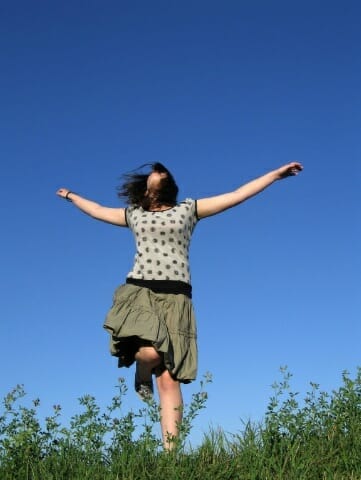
220,92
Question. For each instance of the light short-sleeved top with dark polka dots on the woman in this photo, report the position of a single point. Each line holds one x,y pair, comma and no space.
162,241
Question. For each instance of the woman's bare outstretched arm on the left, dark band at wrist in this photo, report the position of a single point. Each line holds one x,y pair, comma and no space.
115,216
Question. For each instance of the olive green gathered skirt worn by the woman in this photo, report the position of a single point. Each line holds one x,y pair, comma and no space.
165,320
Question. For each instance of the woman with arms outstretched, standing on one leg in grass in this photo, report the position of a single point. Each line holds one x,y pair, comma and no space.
151,321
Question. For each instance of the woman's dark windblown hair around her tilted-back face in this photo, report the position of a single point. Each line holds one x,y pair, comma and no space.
134,187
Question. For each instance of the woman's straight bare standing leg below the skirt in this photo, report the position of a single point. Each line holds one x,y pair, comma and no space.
171,403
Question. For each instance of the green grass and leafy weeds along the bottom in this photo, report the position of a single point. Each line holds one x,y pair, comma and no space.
318,437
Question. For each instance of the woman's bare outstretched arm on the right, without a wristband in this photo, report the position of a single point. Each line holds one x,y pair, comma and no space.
213,205
